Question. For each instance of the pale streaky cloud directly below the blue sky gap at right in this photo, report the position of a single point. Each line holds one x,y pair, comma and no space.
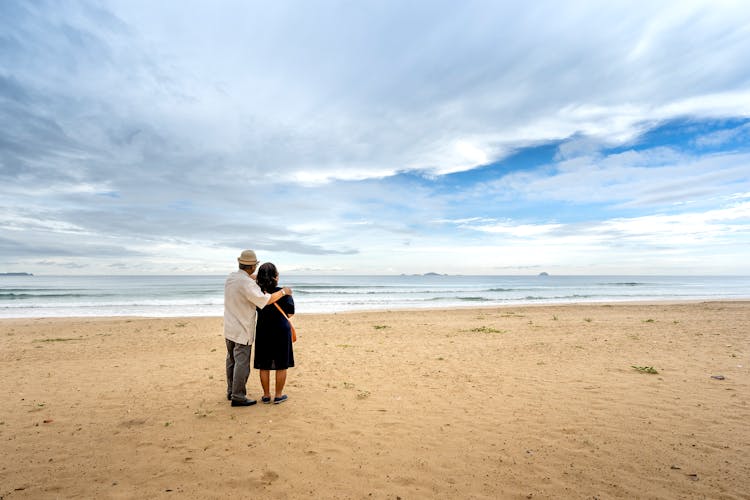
653,177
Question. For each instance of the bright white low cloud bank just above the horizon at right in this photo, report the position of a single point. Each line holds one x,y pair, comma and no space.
690,242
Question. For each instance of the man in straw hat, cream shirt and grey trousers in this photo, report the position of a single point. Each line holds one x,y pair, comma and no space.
241,296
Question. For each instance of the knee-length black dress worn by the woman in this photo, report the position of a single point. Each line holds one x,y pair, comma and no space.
273,337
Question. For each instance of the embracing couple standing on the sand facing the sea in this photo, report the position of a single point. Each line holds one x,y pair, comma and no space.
253,306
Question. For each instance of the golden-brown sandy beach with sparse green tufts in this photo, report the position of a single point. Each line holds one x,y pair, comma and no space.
513,402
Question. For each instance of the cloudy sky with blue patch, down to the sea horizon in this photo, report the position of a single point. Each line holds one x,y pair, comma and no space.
375,136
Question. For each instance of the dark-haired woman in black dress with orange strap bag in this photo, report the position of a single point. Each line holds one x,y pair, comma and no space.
273,336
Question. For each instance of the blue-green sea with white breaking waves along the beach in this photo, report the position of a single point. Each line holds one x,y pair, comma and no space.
178,295
